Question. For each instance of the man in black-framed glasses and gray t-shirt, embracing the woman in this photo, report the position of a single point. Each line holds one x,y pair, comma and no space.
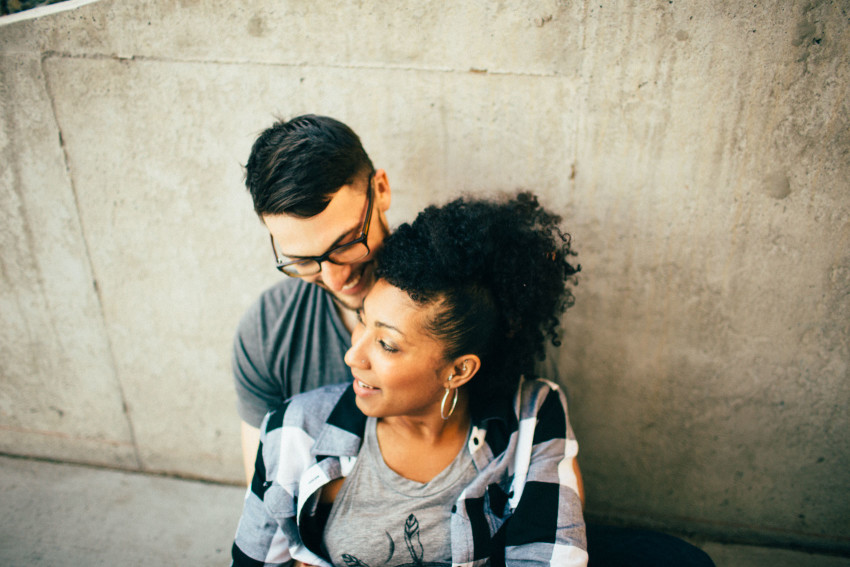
324,204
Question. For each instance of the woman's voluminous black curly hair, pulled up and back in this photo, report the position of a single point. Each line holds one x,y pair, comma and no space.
498,271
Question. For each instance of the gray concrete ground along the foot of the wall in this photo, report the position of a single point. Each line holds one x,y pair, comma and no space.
66,515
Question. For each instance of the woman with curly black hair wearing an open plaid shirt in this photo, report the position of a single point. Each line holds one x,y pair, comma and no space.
440,452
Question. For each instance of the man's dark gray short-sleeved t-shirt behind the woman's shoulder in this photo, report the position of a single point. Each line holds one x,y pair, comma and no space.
289,341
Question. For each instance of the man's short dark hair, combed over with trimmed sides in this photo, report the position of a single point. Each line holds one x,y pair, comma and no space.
296,167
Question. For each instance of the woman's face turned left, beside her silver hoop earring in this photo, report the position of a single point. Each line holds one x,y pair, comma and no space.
399,369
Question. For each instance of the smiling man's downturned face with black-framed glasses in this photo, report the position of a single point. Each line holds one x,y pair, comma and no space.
338,224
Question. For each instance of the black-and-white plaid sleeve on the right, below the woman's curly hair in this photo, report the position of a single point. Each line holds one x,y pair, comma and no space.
547,525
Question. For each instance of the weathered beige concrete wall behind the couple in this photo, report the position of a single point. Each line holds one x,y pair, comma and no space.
699,152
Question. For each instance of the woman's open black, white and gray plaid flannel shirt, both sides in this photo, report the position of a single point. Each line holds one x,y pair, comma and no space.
522,508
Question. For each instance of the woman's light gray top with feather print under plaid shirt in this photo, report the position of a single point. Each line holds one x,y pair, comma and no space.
381,518
